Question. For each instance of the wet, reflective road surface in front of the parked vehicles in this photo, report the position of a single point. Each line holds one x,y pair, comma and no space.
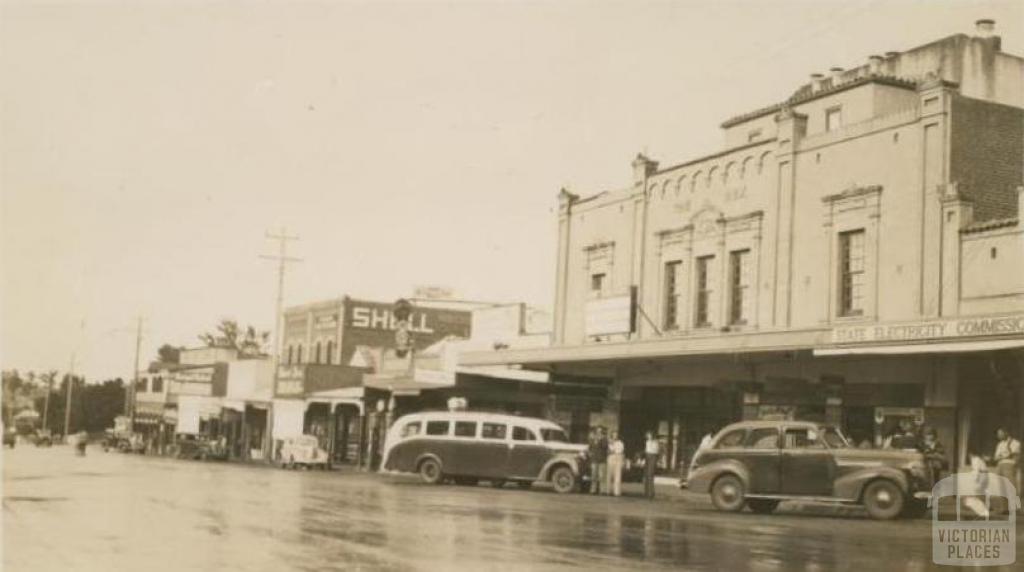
117,512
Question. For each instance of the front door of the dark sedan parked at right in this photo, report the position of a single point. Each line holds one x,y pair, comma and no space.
807,466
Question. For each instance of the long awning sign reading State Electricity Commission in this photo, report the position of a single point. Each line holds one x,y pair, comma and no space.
934,330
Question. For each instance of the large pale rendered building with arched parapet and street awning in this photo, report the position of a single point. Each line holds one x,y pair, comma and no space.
856,254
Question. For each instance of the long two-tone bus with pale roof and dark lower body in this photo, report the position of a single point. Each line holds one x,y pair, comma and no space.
467,448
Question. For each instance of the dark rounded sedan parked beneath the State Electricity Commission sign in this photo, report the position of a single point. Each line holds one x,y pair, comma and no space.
761,464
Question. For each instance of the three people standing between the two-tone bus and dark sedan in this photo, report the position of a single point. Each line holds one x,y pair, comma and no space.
607,455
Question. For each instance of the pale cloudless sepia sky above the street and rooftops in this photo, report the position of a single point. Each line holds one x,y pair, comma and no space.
147,147
